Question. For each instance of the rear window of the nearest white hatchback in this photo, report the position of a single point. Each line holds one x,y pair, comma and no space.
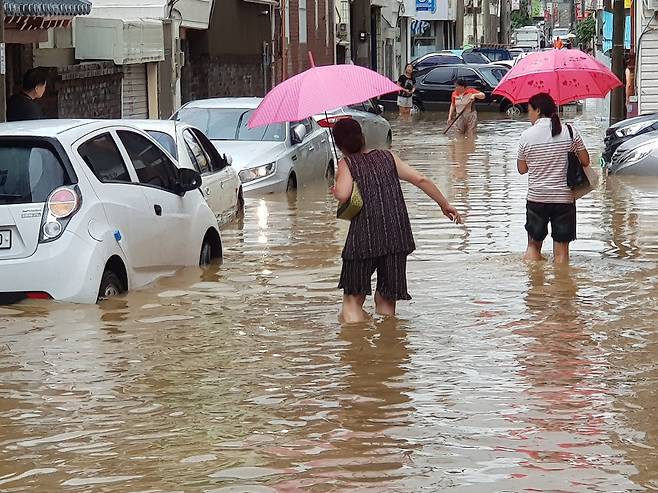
28,174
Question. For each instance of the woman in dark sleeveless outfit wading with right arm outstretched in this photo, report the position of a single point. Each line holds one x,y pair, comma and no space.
380,237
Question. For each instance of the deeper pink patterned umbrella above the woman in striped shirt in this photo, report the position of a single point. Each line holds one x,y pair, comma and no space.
567,75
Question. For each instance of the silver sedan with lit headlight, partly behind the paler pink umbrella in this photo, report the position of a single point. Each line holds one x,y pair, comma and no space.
273,158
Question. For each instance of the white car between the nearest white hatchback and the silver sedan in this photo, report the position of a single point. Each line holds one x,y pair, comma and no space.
192,149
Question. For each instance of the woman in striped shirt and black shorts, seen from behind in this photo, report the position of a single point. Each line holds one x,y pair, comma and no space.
543,155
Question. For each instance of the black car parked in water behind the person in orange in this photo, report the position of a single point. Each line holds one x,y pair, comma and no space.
434,89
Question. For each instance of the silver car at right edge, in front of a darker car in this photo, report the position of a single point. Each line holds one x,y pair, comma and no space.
637,156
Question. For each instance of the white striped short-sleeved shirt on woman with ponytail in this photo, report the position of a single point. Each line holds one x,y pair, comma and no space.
547,160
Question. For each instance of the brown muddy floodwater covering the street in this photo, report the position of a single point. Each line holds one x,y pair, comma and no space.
497,377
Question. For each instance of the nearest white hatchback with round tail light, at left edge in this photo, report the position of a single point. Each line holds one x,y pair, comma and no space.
89,209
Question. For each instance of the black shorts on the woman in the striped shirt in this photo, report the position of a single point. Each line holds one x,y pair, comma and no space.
561,216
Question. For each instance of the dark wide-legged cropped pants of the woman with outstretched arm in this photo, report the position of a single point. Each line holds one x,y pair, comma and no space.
356,276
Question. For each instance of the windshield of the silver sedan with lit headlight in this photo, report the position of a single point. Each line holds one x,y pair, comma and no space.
231,124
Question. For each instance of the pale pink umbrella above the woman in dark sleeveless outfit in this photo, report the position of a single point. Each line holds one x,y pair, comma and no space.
317,90
